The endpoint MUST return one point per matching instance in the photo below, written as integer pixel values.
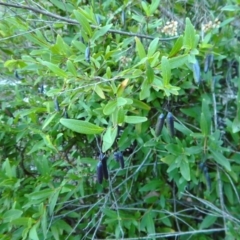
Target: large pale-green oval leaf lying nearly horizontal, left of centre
(81, 126)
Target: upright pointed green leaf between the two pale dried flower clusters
(189, 35)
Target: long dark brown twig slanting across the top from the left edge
(75, 22)
